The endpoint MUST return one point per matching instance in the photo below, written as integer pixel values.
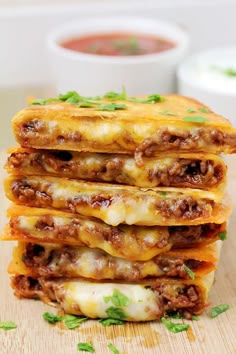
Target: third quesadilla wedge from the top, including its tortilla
(115, 204)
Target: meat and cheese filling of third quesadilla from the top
(43, 193)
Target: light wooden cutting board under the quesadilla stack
(35, 336)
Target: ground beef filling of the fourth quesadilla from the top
(121, 236)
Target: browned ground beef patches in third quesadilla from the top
(183, 207)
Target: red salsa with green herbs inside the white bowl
(118, 44)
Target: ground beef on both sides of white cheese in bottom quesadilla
(185, 299)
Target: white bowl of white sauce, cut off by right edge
(203, 77)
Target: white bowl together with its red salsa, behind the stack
(97, 55)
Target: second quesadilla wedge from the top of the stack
(173, 169)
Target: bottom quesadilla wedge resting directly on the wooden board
(148, 300)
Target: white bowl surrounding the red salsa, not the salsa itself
(91, 74)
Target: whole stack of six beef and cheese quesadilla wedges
(118, 204)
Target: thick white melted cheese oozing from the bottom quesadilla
(89, 297)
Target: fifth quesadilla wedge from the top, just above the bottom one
(55, 260)
